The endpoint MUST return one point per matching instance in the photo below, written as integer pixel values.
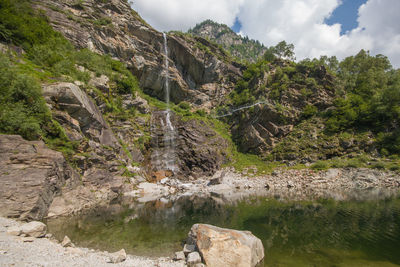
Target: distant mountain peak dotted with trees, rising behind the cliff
(240, 47)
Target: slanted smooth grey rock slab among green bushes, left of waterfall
(85, 115)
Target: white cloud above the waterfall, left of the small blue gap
(167, 15)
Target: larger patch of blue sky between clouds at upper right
(346, 14)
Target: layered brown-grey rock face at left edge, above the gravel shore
(31, 176)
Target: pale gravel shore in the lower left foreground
(26, 251)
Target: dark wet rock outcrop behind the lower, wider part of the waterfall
(194, 149)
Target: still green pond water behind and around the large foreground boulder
(320, 233)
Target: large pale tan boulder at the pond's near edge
(220, 247)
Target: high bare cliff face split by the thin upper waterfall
(197, 75)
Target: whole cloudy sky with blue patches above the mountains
(315, 27)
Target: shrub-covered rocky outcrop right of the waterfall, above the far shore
(260, 127)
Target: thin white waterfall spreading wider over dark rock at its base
(164, 134)
